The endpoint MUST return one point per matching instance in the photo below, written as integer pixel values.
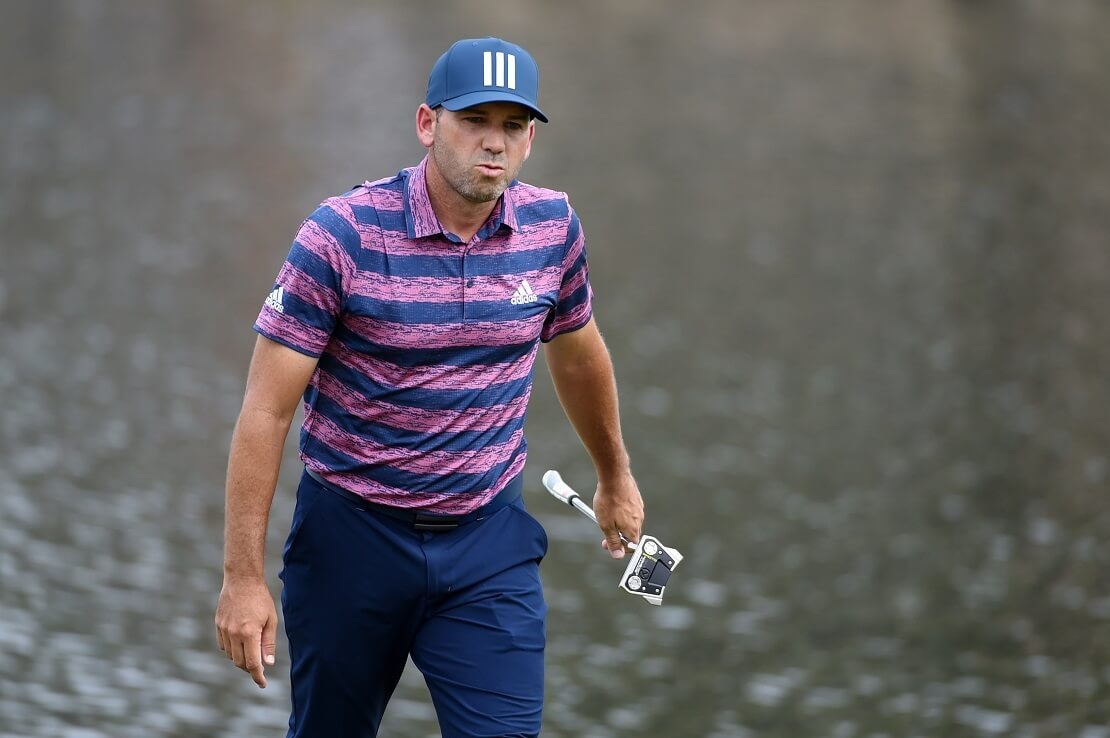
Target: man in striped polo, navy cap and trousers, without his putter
(409, 316)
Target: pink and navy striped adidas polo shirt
(427, 345)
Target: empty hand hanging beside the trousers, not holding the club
(247, 625)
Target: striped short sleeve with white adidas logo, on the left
(309, 295)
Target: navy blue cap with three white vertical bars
(473, 72)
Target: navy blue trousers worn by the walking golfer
(364, 592)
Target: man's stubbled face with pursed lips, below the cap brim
(480, 150)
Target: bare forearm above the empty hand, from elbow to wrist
(254, 464)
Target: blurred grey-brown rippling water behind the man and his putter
(852, 262)
